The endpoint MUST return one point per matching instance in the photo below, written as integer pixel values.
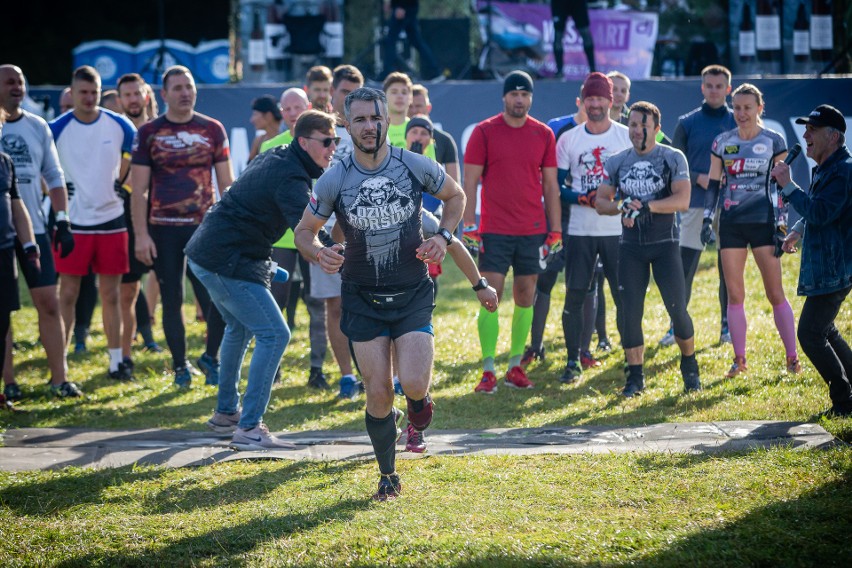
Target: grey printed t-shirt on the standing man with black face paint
(648, 177)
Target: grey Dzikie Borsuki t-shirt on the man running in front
(379, 212)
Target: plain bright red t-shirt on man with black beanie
(512, 190)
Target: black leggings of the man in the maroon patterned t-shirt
(170, 266)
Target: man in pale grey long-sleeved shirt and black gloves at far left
(28, 141)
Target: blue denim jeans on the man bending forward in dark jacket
(249, 310)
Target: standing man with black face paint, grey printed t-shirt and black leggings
(652, 181)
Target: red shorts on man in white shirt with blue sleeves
(103, 253)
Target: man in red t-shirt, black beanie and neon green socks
(514, 156)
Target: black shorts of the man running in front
(374, 312)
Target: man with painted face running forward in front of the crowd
(387, 295)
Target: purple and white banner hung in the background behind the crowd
(624, 40)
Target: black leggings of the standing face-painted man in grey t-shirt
(635, 262)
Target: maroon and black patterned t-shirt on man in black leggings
(181, 158)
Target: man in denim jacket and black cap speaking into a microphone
(825, 229)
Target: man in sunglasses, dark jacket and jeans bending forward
(230, 254)
